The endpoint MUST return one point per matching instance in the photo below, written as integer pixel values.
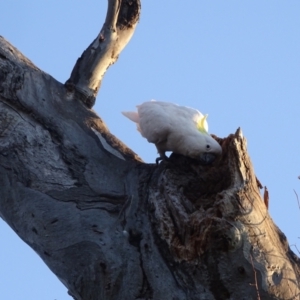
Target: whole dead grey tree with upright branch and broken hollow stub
(112, 227)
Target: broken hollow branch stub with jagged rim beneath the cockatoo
(212, 221)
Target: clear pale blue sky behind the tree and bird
(238, 61)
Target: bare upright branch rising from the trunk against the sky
(121, 19)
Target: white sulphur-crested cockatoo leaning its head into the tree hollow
(171, 127)
